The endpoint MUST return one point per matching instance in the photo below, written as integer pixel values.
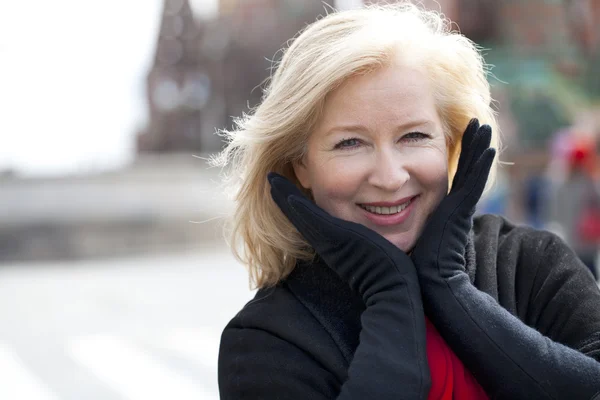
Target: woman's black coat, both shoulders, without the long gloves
(297, 340)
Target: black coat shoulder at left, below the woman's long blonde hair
(274, 348)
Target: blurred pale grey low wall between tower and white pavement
(160, 203)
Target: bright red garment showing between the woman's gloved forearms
(450, 380)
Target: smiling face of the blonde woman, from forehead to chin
(378, 155)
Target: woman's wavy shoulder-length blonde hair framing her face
(331, 50)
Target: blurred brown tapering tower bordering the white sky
(178, 86)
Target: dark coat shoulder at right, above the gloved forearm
(536, 276)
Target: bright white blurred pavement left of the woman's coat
(139, 328)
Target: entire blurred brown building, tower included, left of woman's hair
(205, 72)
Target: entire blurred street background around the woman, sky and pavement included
(115, 282)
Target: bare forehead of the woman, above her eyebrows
(392, 94)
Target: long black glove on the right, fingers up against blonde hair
(509, 359)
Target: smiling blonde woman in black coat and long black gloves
(375, 281)
